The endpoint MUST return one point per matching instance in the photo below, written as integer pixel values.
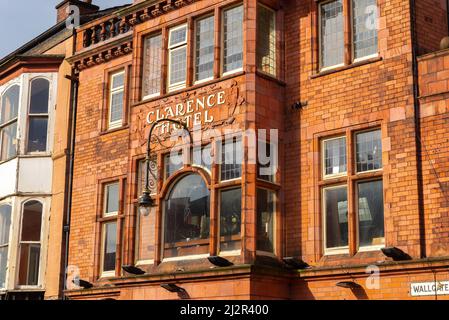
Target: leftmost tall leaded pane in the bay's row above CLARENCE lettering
(152, 65)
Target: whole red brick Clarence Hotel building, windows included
(357, 97)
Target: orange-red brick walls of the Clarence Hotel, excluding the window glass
(374, 93)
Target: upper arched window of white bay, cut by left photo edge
(9, 110)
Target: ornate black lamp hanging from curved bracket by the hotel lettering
(145, 201)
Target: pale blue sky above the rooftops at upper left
(22, 20)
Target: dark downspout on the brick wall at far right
(418, 141)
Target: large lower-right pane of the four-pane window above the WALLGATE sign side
(371, 213)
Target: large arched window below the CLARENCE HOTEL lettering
(187, 214)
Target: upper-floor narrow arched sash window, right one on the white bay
(38, 116)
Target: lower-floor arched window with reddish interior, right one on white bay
(30, 244)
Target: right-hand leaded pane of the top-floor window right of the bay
(365, 27)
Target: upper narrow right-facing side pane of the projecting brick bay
(266, 40)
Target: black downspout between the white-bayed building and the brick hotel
(69, 167)
